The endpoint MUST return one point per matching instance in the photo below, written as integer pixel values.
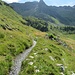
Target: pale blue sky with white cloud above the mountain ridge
(48, 2)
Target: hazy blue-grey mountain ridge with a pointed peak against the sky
(39, 9)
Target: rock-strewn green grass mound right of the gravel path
(47, 54)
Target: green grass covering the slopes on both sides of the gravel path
(15, 37)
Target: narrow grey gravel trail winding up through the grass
(15, 69)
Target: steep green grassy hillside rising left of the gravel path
(15, 37)
